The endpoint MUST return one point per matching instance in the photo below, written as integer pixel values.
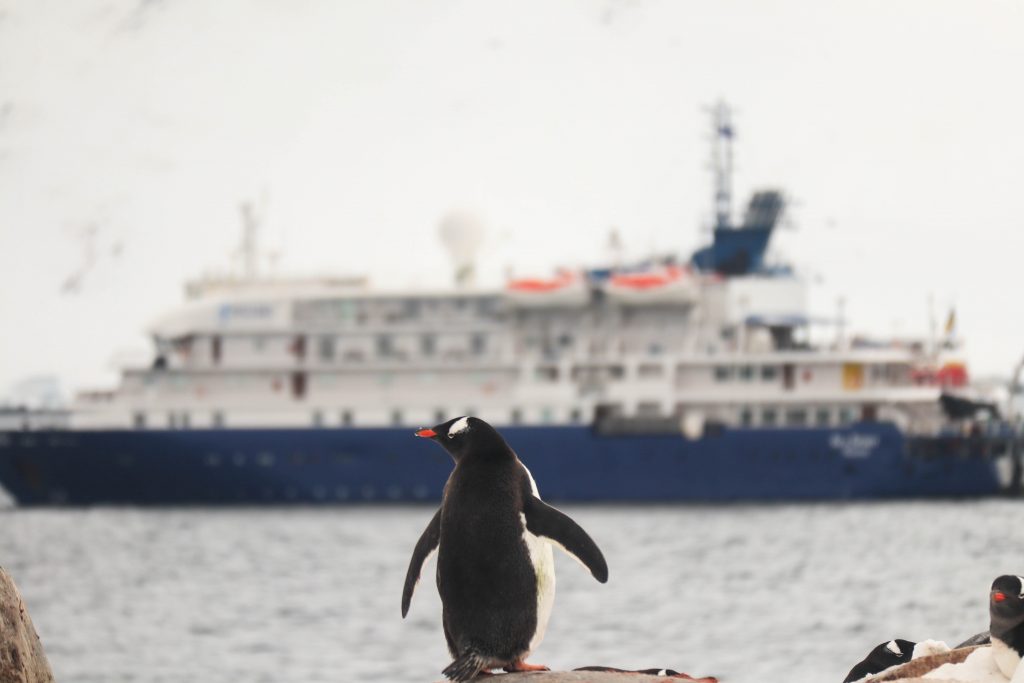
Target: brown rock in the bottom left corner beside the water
(22, 658)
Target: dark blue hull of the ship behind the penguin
(313, 466)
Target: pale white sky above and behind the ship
(895, 126)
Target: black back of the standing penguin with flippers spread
(486, 577)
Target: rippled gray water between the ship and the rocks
(747, 593)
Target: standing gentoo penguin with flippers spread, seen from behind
(493, 536)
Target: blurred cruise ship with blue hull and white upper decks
(675, 379)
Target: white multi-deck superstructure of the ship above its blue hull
(333, 354)
